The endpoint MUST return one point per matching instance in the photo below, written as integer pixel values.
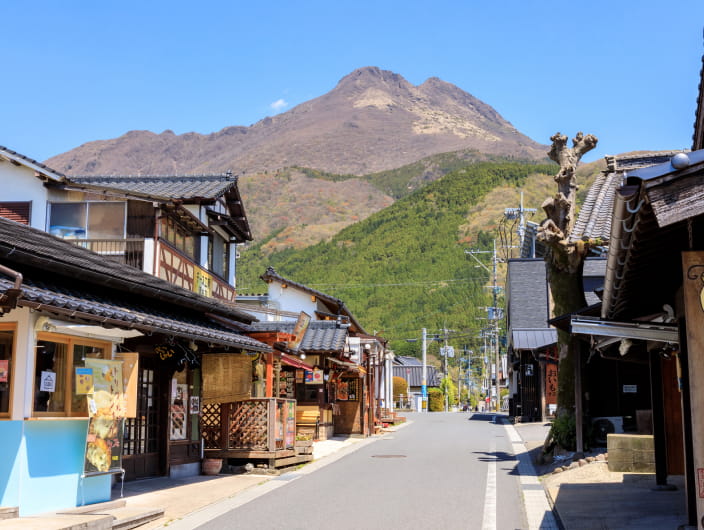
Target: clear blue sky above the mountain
(76, 71)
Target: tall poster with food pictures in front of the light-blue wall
(106, 411)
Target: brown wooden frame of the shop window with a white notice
(70, 341)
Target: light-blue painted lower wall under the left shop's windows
(45, 468)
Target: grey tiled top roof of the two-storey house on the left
(167, 187)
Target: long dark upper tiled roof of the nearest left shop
(26, 246)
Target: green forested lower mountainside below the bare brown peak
(404, 267)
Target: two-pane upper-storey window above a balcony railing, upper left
(87, 220)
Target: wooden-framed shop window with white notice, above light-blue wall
(56, 360)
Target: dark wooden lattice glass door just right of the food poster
(142, 440)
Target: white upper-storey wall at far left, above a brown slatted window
(19, 184)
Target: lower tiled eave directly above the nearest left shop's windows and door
(120, 309)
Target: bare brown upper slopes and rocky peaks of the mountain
(373, 120)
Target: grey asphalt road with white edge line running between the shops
(444, 470)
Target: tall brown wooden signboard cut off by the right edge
(693, 277)
